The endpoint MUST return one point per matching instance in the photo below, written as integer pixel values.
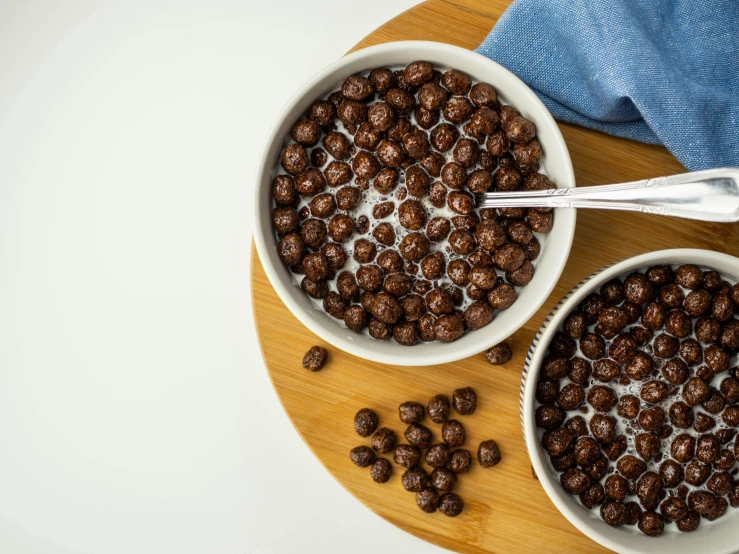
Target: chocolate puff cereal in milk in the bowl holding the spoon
(373, 193)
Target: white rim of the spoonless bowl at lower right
(536, 354)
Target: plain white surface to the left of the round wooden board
(135, 411)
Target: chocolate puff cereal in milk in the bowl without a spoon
(638, 398)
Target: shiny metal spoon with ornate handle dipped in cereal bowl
(710, 195)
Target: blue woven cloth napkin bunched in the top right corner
(656, 71)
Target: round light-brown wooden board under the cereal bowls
(506, 509)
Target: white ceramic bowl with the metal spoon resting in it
(555, 245)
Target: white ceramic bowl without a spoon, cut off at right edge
(718, 537)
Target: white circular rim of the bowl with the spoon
(566, 219)
